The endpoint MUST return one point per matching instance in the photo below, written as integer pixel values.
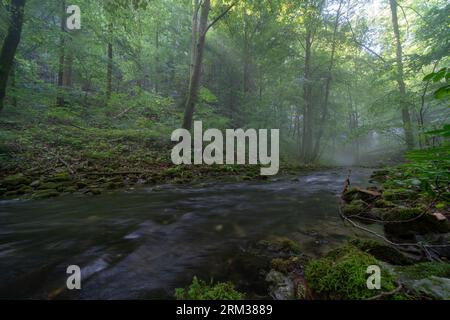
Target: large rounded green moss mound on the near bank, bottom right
(342, 275)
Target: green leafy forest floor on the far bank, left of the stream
(55, 154)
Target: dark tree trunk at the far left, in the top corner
(10, 44)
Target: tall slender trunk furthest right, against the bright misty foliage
(409, 137)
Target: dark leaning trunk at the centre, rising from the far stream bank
(194, 82)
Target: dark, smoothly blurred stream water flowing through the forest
(143, 243)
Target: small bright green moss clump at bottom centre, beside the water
(200, 290)
